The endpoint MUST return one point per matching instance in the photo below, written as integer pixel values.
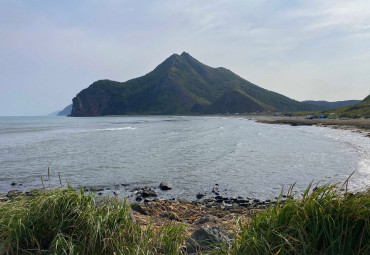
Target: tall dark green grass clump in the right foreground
(324, 221)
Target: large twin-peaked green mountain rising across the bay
(181, 85)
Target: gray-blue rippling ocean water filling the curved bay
(243, 157)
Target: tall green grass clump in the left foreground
(64, 221)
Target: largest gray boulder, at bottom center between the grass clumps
(204, 239)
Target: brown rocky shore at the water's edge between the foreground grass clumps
(214, 218)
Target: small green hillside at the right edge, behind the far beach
(359, 110)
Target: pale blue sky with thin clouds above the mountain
(304, 49)
